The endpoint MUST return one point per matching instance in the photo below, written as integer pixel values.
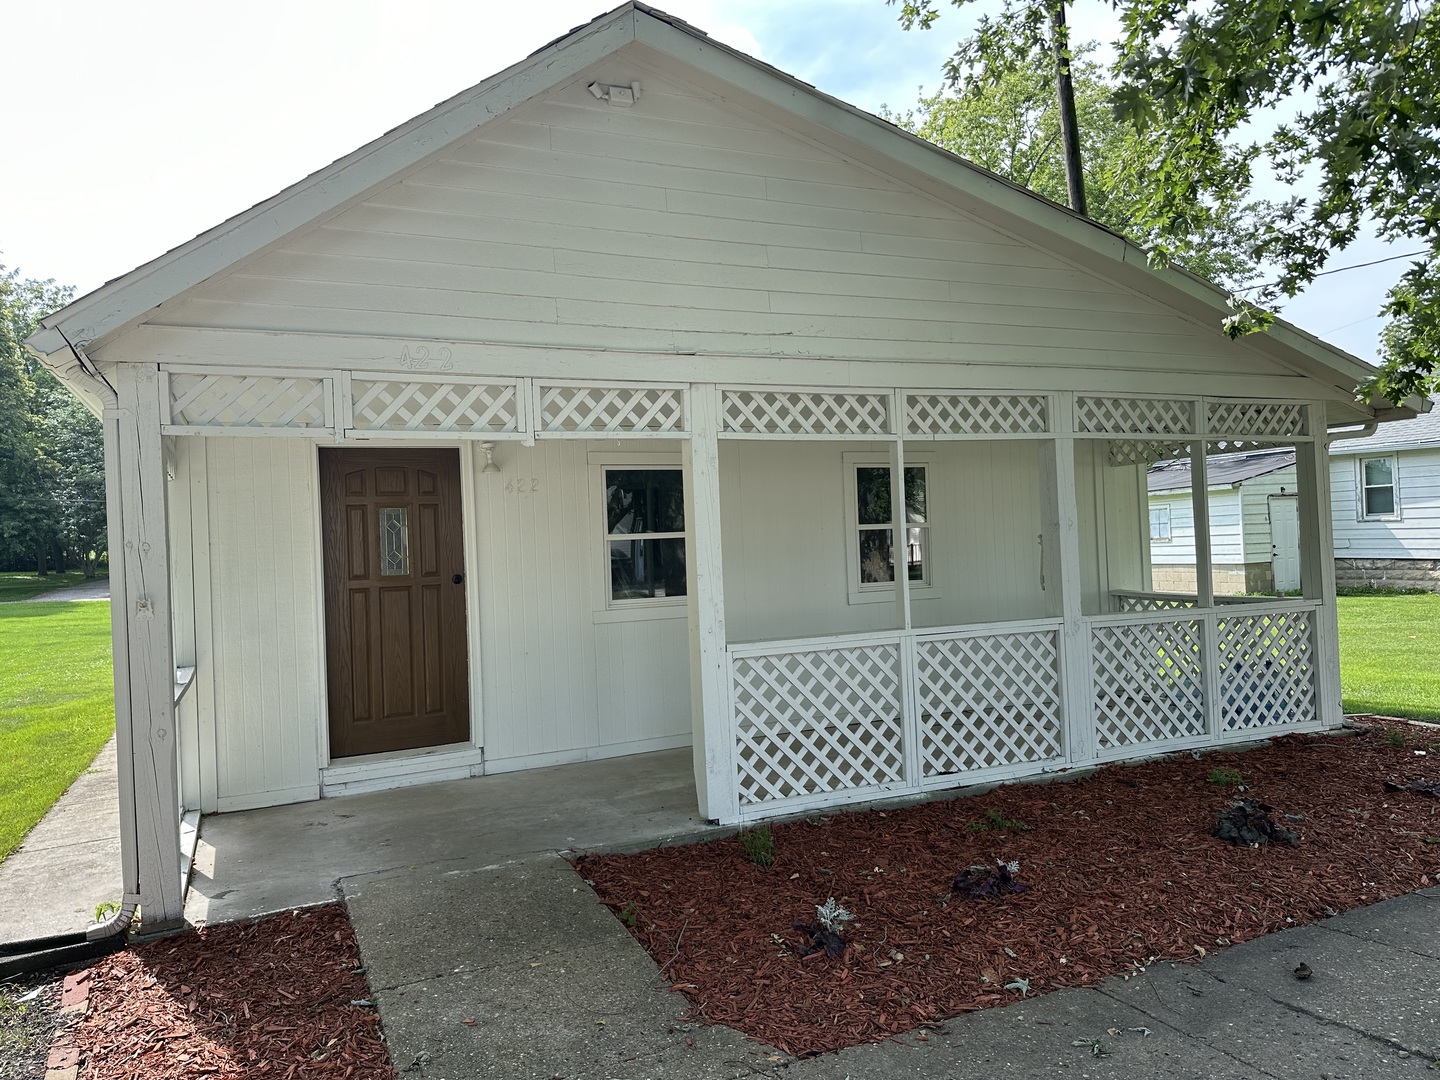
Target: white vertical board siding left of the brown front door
(264, 650)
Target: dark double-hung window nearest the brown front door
(646, 534)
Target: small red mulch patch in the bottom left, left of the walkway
(270, 999)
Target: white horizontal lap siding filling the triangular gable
(686, 224)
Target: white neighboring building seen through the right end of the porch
(1255, 525)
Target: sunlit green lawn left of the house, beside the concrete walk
(57, 705)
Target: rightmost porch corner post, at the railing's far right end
(1313, 474)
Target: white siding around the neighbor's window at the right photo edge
(1418, 532)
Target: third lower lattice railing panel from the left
(1147, 683)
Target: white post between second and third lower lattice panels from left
(1075, 640)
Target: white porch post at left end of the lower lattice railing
(714, 747)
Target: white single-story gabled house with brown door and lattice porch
(585, 414)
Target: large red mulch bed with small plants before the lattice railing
(1121, 872)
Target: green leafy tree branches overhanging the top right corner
(1340, 96)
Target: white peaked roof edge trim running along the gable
(129, 300)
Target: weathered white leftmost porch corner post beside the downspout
(145, 667)
